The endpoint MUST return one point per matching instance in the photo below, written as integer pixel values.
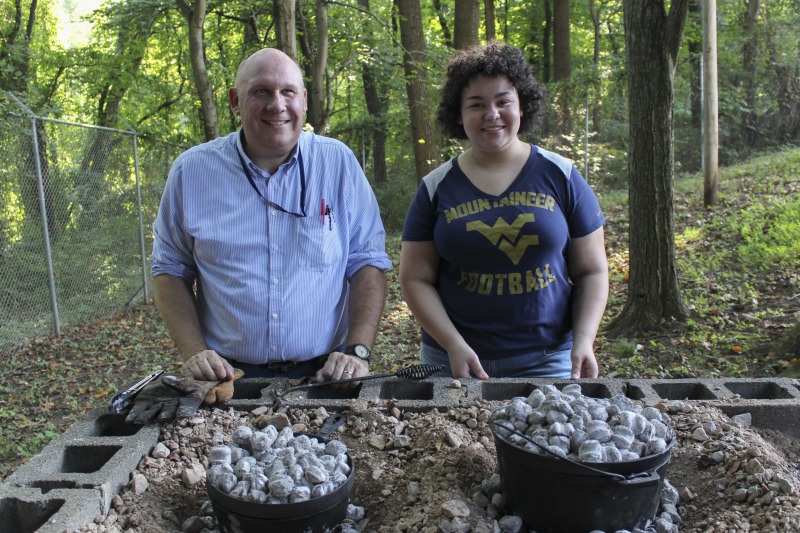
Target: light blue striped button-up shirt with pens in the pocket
(270, 286)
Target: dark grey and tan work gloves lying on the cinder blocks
(174, 397)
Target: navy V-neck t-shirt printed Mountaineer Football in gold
(503, 274)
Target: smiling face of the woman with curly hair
(490, 112)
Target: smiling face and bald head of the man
(271, 101)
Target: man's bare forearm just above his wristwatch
(367, 298)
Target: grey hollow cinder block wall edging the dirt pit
(75, 477)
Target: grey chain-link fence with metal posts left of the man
(76, 206)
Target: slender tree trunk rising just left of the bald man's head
(195, 16)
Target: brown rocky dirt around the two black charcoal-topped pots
(433, 472)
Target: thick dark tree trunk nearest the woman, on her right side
(652, 42)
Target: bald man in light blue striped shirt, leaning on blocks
(281, 233)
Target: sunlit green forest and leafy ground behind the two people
(161, 69)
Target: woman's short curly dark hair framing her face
(494, 59)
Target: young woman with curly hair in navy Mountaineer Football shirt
(503, 258)
